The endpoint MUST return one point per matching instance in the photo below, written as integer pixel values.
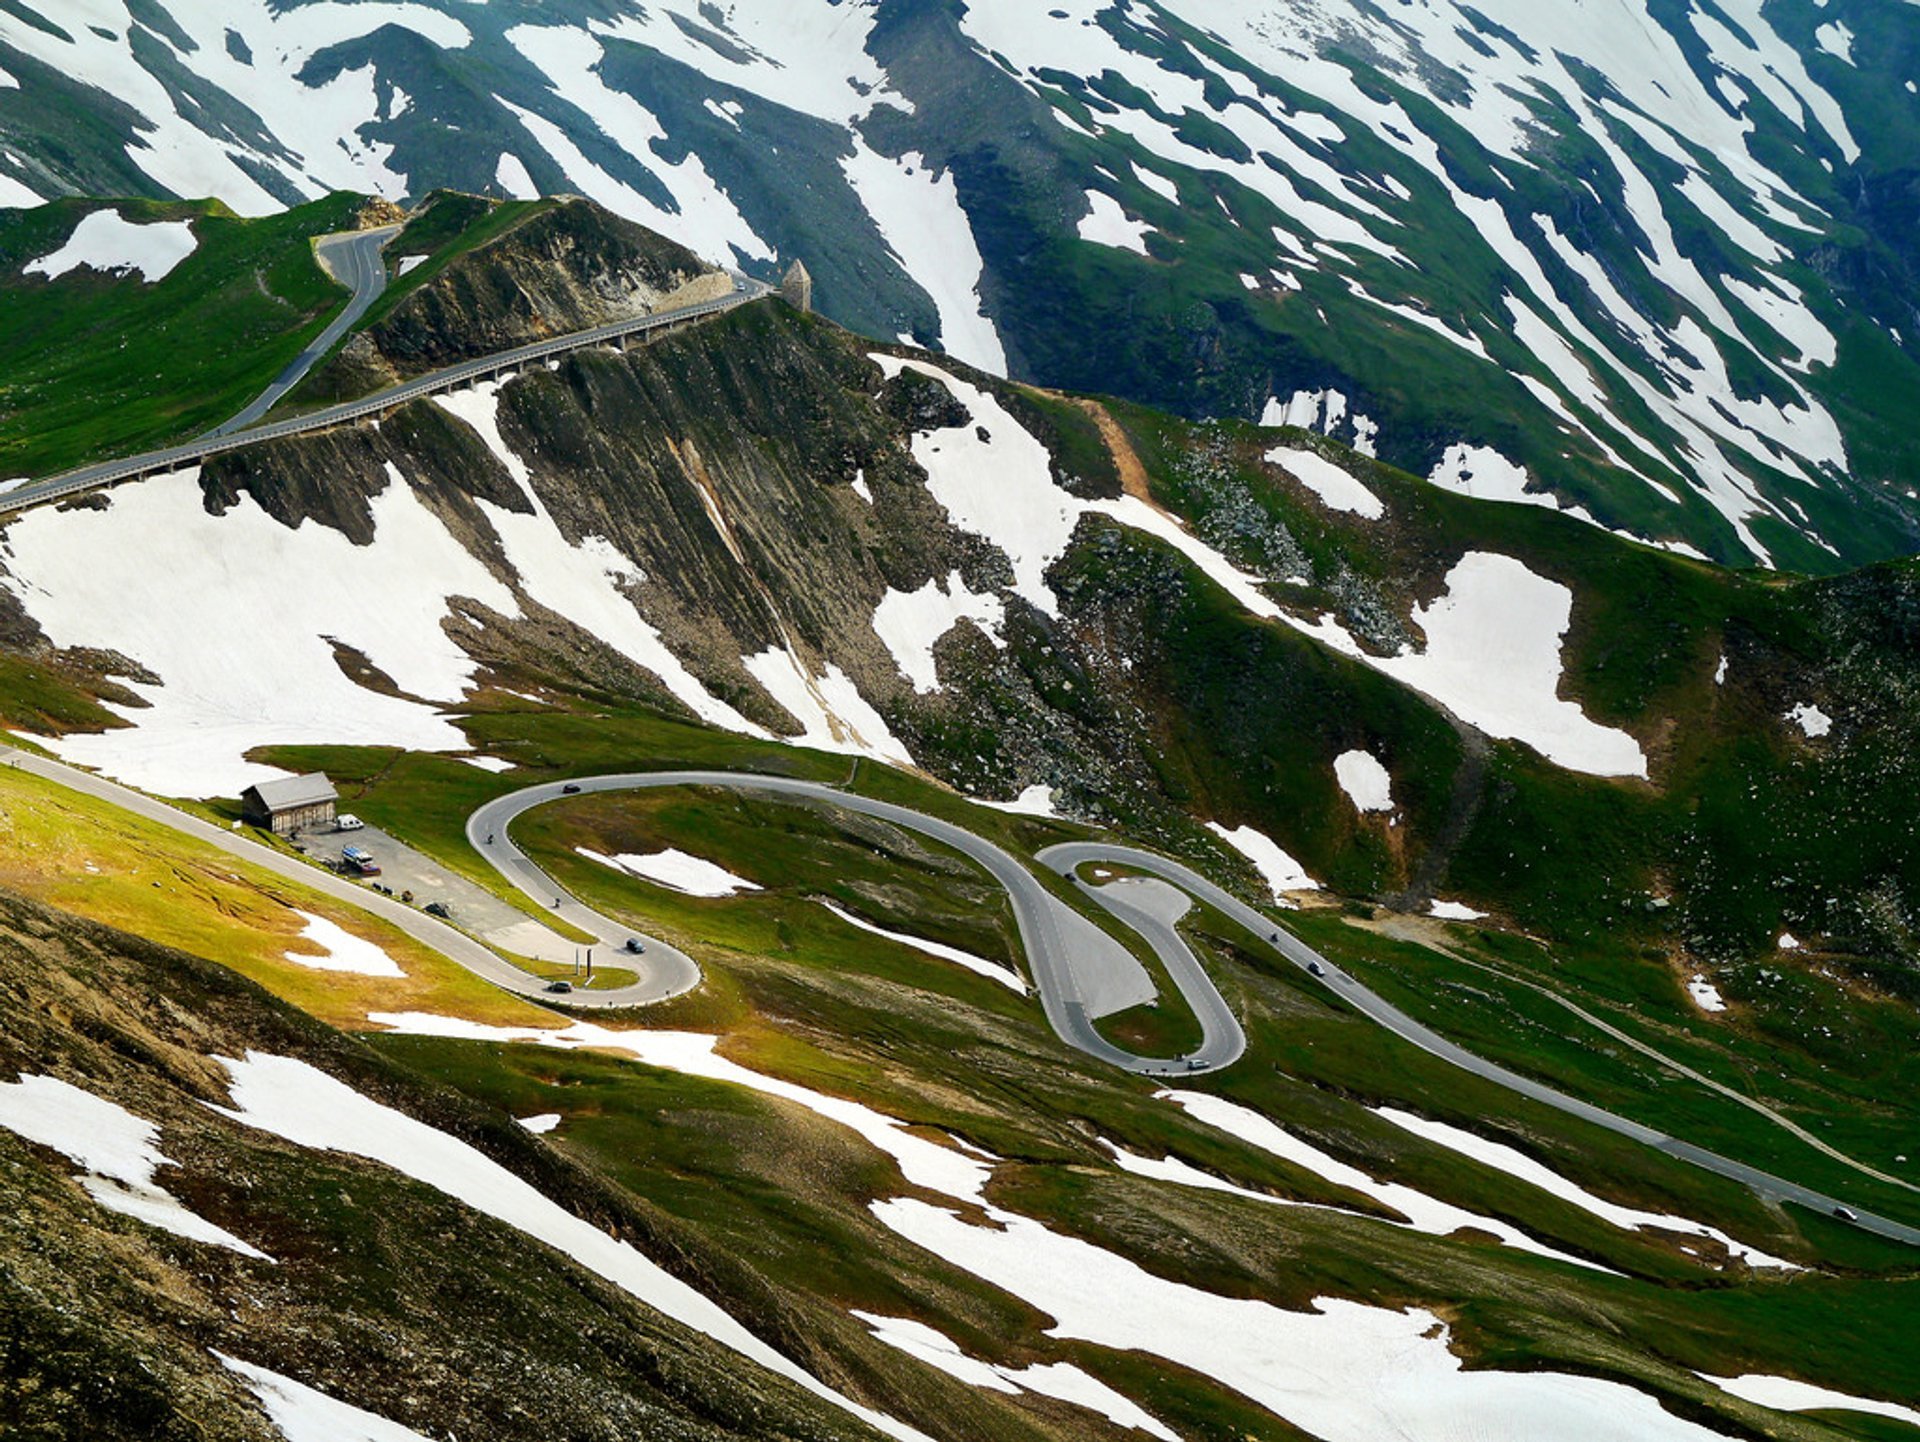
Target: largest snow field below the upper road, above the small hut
(256, 665)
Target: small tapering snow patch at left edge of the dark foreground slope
(116, 1149)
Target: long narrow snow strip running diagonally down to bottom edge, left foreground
(306, 1107)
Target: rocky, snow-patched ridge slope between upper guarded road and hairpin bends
(769, 529)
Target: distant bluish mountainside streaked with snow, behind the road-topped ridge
(1650, 264)
